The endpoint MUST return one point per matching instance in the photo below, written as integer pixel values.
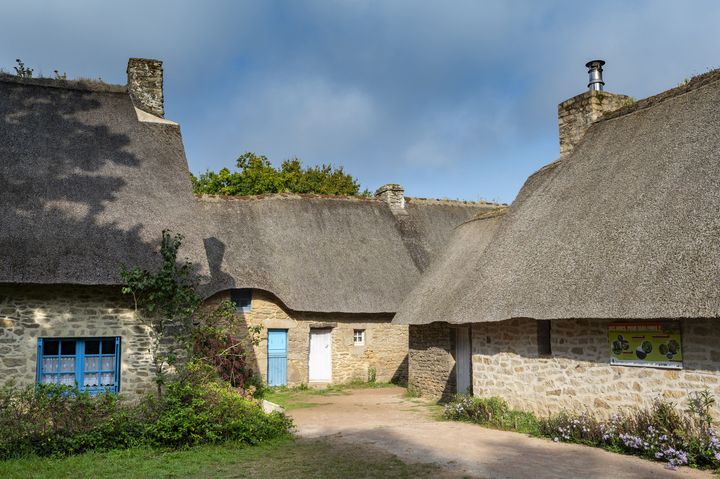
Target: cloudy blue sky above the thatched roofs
(452, 99)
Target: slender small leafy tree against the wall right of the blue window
(165, 301)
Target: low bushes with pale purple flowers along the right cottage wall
(660, 432)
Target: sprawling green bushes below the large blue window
(52, 420)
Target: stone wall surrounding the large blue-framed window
(29, 312)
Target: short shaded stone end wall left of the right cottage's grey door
(430, 359)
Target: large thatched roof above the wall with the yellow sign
(627, 226)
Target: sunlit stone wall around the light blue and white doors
(385, 346)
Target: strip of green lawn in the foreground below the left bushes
(281, 459)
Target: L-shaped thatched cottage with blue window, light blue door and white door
(91, 173)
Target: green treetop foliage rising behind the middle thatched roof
(256, 176)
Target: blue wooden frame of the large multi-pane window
(80, 355)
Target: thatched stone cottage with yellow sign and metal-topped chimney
(598, 287)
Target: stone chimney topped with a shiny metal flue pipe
(577, 114)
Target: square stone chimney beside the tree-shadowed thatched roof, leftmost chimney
(145, 85)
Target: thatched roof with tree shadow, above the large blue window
(84, 185)
